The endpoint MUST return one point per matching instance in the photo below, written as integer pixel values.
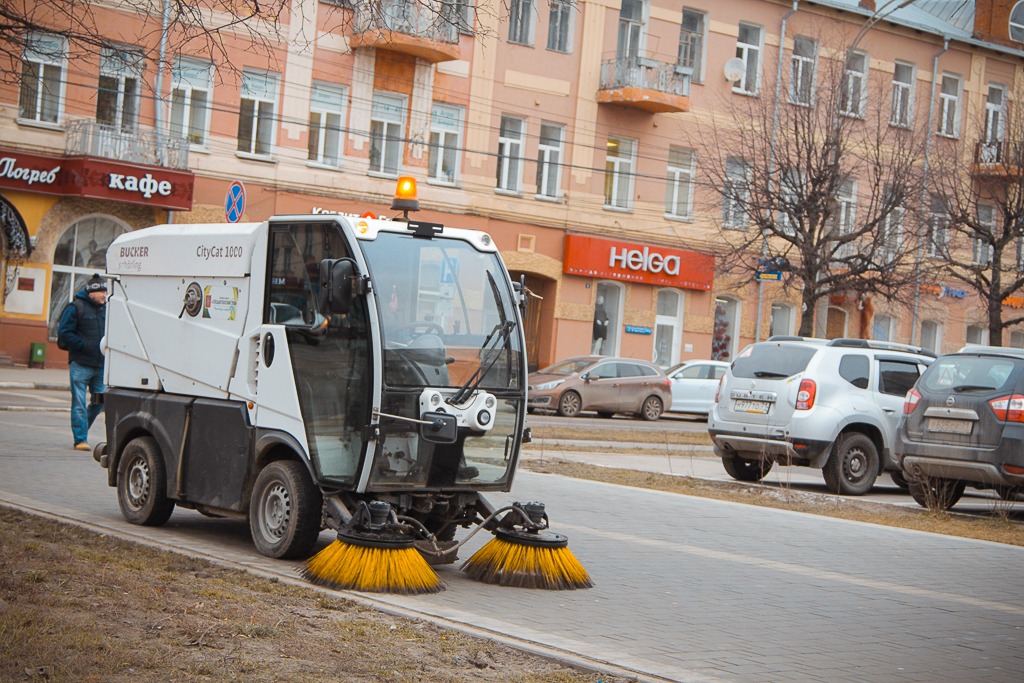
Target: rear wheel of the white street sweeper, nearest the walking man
(143, 484)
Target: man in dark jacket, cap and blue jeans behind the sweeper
(82, 326)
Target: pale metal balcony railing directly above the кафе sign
(96, 140)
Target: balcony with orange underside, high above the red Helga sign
(646, 84)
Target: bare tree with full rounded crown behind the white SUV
(816, 182)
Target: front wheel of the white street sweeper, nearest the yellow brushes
(285, 511)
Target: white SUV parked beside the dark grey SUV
(831, 405)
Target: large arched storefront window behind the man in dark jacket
(80, 253)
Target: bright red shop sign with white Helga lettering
(635, 263)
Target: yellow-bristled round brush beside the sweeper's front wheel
(371, 557)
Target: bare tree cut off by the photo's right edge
(978, 214)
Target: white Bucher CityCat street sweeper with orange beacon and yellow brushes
(356, 374)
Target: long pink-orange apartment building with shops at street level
(570, 132)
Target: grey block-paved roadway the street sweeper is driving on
(687, 589)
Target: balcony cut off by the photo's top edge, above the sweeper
(411, 27)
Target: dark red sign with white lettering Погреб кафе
(97, 179)
